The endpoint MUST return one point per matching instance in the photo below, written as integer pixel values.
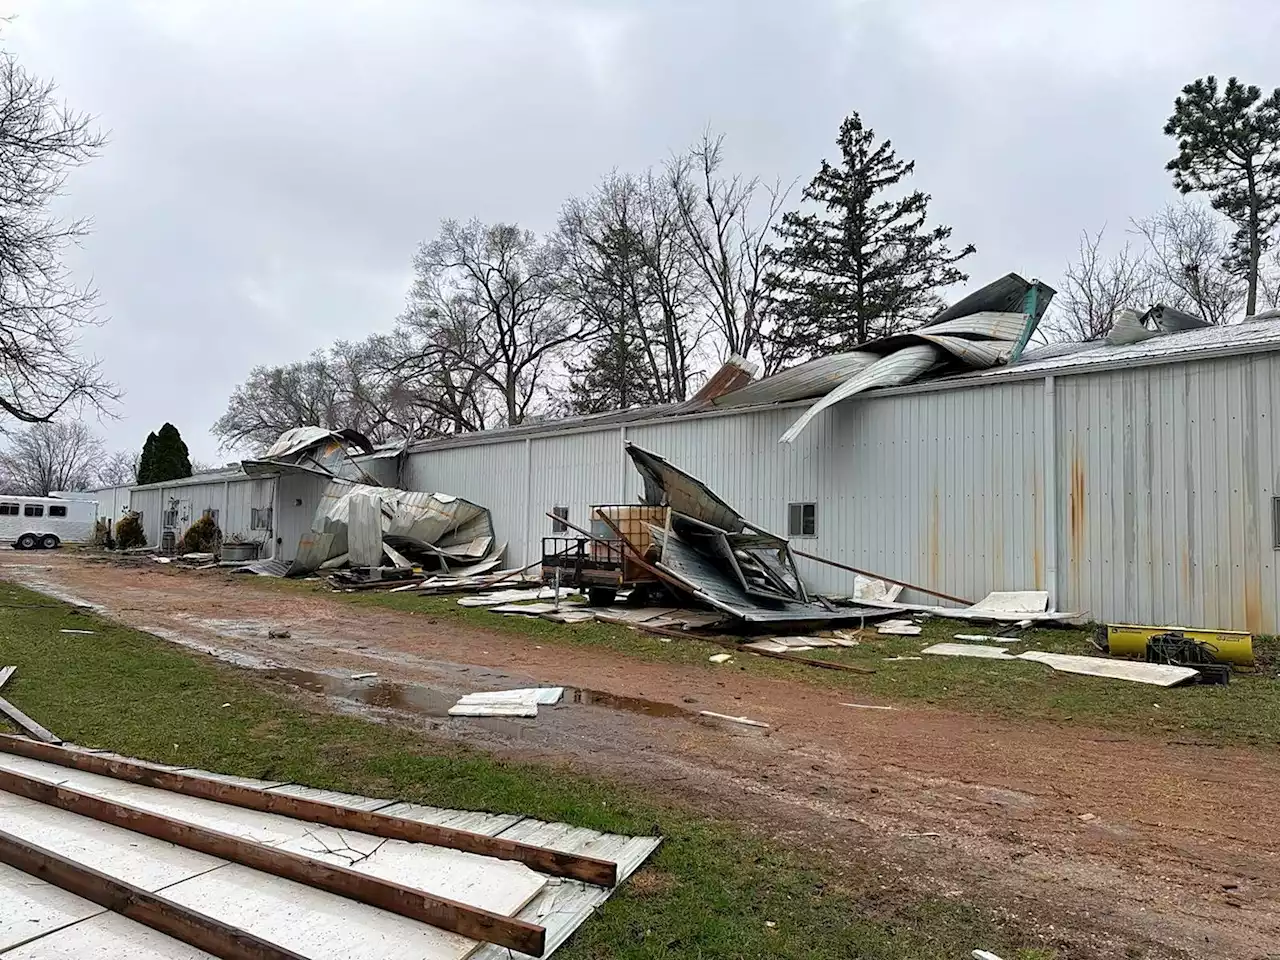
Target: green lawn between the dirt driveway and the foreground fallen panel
(710, 893)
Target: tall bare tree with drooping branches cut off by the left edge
(42, 309)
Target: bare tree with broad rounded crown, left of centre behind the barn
(486, 304)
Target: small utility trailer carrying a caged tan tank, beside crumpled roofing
(605, 564)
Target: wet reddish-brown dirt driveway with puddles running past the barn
(1104, 842)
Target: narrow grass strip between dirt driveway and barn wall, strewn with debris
(1245, 712)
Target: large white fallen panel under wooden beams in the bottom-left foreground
(313, 924)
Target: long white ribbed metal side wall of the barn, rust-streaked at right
(1140, 495)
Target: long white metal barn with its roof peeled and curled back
(1133, 479)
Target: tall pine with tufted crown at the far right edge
(1229, 148)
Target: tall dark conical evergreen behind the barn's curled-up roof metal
(863, 266)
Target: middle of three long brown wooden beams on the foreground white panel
(447, 915)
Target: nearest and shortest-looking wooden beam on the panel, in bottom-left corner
(139, 906)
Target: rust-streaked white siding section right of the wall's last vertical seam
(1168, 477)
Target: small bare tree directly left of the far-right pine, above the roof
(1190, 252)
